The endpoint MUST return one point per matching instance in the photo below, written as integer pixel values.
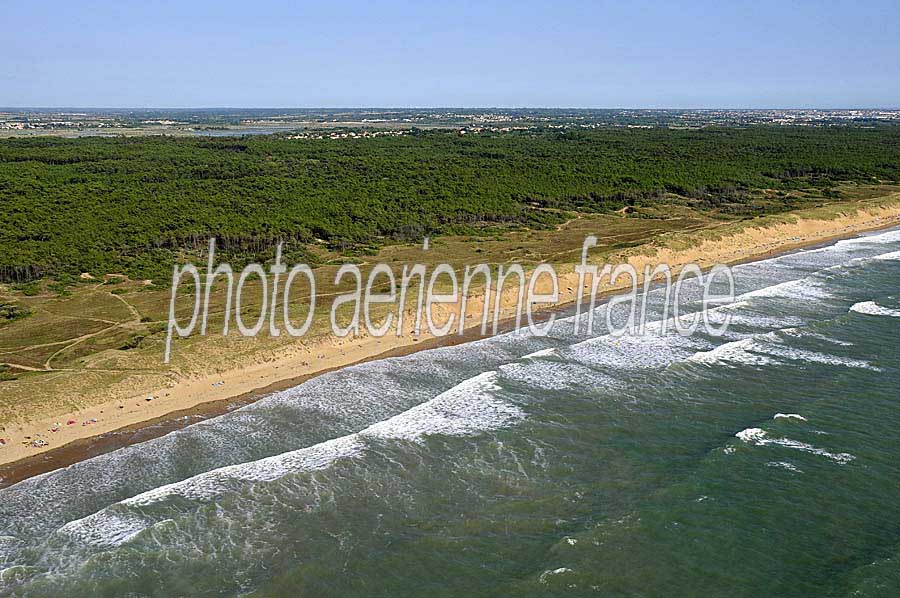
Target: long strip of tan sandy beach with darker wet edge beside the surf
(204, 400)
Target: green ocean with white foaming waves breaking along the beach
(765, 462)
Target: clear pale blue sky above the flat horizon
(276, 53)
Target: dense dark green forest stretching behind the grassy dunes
(135, 205)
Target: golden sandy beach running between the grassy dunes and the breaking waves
(73, 436)
